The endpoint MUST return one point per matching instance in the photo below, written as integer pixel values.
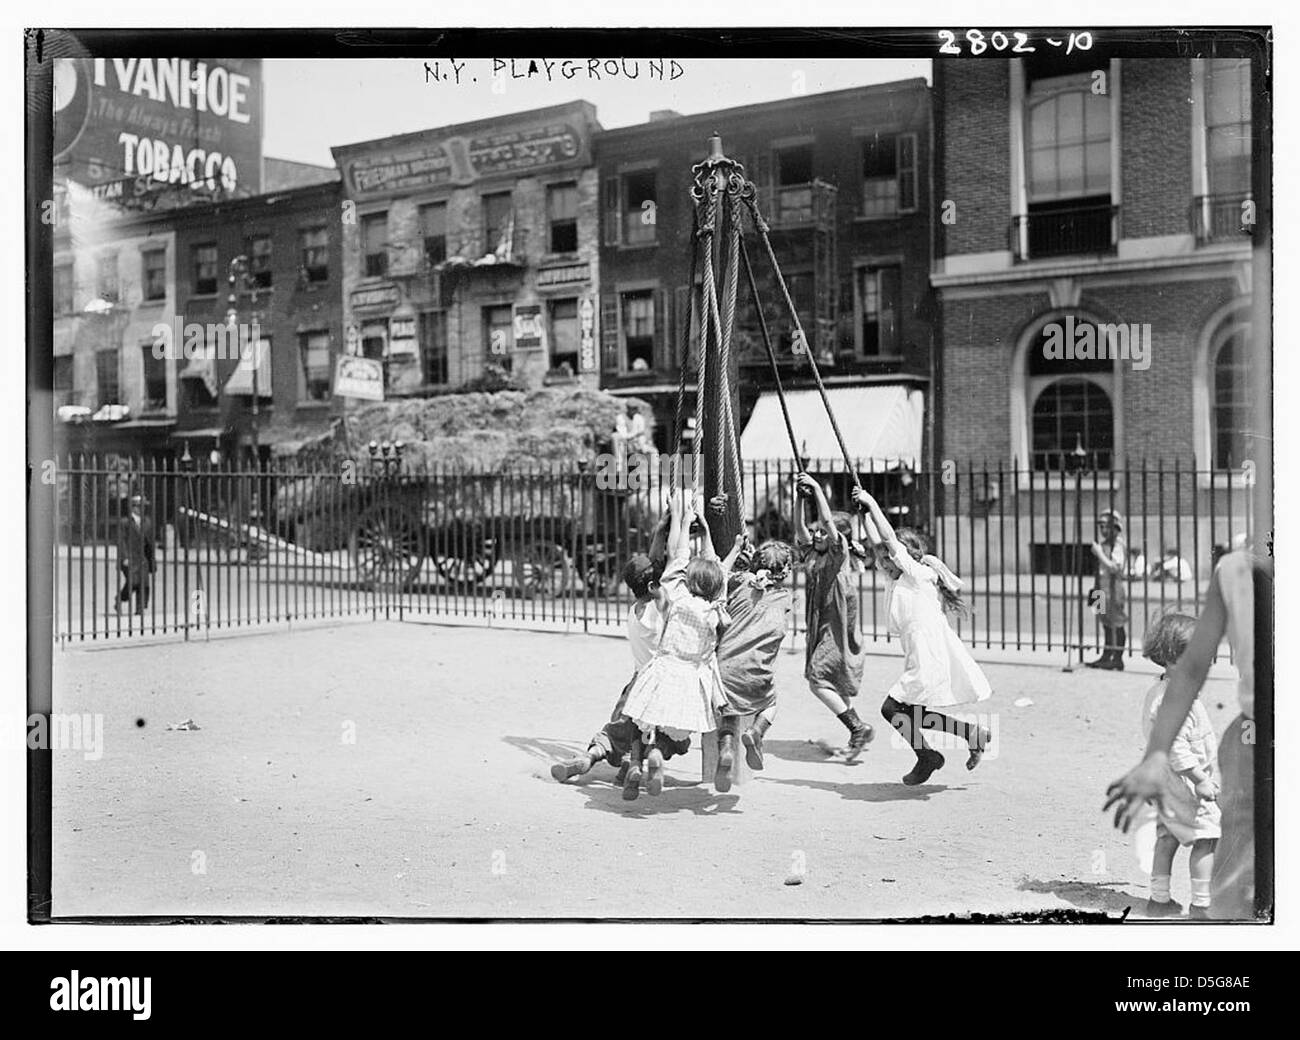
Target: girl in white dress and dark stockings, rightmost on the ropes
(938, 669)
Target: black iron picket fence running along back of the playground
(545, 545)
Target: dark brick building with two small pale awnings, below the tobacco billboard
(293, 248)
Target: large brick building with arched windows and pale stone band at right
(1094, 202)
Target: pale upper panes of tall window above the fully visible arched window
(1068, 140)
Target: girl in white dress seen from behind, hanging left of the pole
(678, 692)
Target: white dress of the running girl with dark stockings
(938, 669)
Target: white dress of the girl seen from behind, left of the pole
(681, 688)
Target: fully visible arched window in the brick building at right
(1072, 415)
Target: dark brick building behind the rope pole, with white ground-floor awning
(843, 179)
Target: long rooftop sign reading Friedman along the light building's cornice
(461, 161)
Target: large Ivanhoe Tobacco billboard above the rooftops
(151, 133)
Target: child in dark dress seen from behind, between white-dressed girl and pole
(760, 606)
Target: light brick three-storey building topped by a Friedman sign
(471, 253)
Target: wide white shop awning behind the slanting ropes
(882, 427)
